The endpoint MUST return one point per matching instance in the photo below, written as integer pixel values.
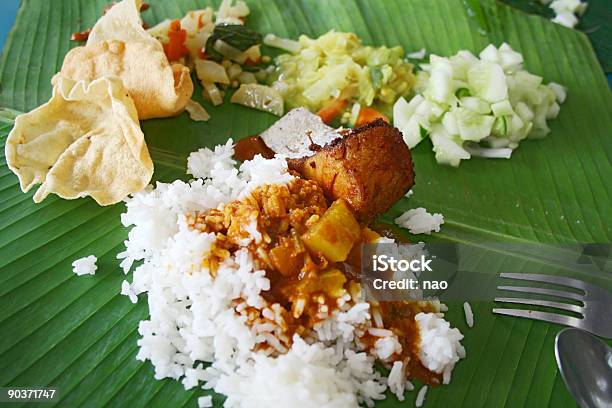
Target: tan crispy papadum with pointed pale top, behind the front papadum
(118, 45)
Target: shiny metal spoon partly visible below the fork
(585, 363)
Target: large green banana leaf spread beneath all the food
(77, 334)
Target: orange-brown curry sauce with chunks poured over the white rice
(305, 285)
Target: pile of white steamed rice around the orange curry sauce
(194, 333)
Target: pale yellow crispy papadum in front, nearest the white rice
(86, 141)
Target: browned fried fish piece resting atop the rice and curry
(370, 168)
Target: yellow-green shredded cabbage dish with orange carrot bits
(339, 77)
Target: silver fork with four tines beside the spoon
(595, 312)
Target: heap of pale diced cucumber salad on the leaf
(477, 106)
